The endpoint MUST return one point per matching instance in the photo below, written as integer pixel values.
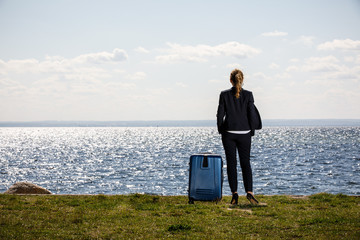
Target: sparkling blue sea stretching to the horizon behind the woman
(295, 157)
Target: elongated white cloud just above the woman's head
(201, 53)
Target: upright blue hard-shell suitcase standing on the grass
(206, 178)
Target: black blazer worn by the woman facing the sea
(237, 114)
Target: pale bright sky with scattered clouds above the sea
(105, 60)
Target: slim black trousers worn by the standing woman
(241, 143)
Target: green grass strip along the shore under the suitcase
(137, 216)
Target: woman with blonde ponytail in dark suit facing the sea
(236, 122)
